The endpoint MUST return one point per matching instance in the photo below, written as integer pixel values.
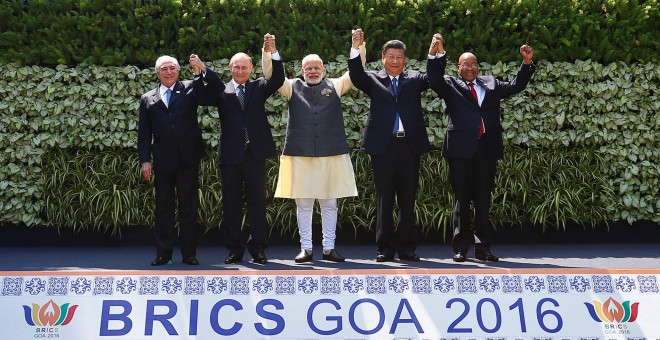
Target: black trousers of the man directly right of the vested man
(396, 175)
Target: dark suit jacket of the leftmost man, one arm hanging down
(170, 135)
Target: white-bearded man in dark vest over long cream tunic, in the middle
(315, 164)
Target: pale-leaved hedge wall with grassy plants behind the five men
(582, 145)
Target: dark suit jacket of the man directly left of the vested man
(233, 119)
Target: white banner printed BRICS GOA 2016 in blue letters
(355, 304)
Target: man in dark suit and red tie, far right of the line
(473, 142)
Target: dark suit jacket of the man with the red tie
(461, 138)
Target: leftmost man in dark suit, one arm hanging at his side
(168, 131)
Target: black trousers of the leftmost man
(176, 190)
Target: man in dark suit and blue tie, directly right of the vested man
(395, 137)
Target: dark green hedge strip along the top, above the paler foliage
(135, 32)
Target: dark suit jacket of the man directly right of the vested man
(384, 106)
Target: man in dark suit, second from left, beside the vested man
(245, 143)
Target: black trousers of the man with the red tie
(472, 181)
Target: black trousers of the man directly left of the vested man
(247, 178)
